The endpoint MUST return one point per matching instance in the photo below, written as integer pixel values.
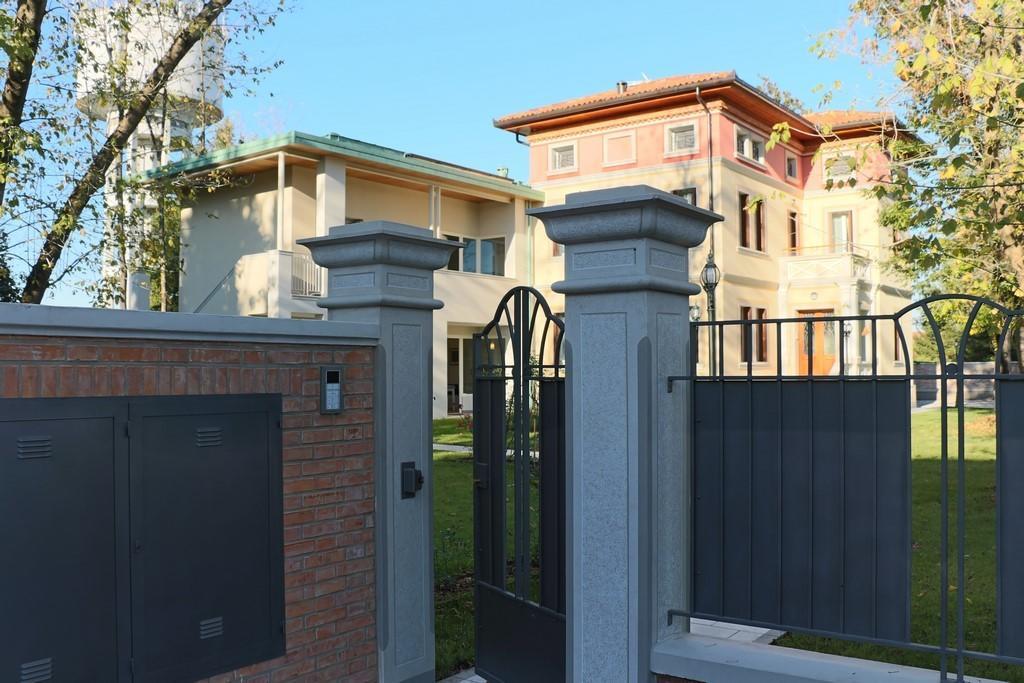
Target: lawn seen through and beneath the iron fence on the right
(926, 588)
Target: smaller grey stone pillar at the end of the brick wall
(382, 273)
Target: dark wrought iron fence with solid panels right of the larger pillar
(803, 481)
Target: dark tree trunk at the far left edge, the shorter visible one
(25, 45)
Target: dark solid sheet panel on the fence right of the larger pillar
(803, 503)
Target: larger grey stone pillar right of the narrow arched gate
(627, 293)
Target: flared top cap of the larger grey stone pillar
(626, 214)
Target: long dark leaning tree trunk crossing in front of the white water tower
(67, 221)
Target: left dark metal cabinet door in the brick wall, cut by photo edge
(64, 567)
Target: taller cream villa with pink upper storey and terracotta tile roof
(801, 238)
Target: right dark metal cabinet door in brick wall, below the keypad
(206, 533)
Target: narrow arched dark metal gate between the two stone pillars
(520, 475)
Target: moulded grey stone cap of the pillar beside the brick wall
(380, 264)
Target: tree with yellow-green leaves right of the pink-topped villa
(956, 195)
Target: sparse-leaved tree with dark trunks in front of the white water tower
(46, 136)
